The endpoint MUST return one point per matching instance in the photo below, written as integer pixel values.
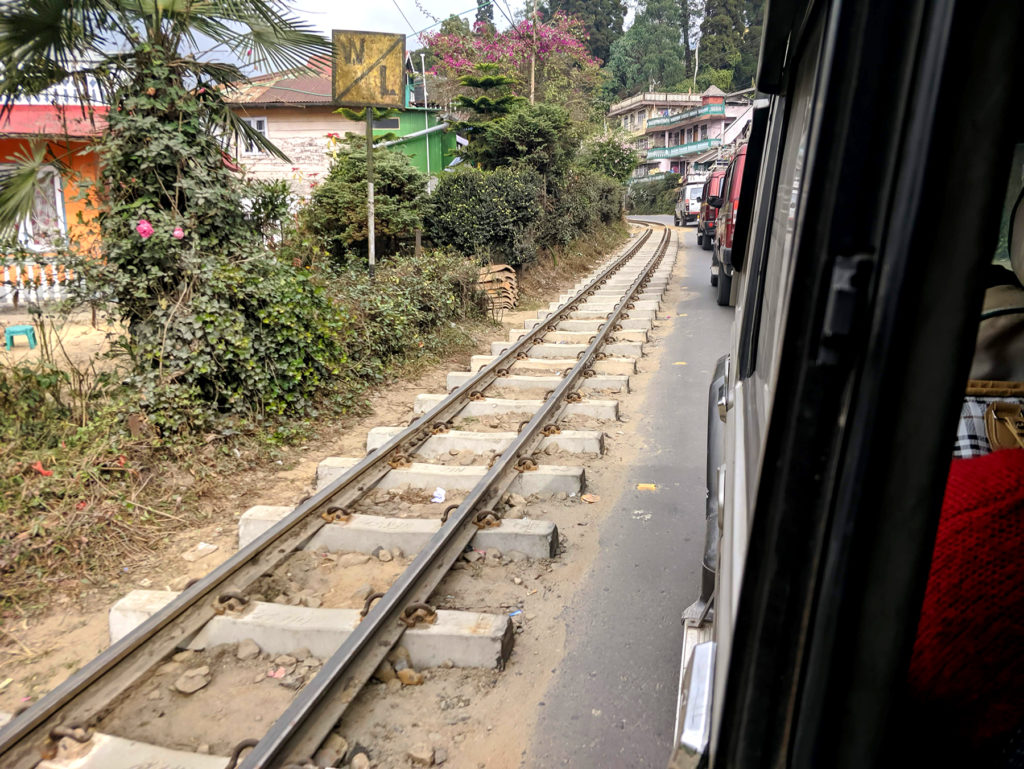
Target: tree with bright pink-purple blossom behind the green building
(566, 73)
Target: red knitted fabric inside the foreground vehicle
(968, 664)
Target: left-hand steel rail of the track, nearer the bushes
(91, 691)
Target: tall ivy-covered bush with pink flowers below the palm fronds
(216, 324)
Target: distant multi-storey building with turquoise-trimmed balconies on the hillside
(675, 133)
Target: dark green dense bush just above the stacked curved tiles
(490, 216)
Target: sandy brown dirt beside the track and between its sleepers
(471, 718)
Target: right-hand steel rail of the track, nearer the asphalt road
(306, 724)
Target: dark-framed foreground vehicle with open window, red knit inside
(860, 270)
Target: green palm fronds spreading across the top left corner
(110, 45)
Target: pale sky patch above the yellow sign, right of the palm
(387, 16)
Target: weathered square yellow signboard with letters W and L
(369, 69)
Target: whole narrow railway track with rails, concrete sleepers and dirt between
(272, 610)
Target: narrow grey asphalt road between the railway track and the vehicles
(612, 705)
